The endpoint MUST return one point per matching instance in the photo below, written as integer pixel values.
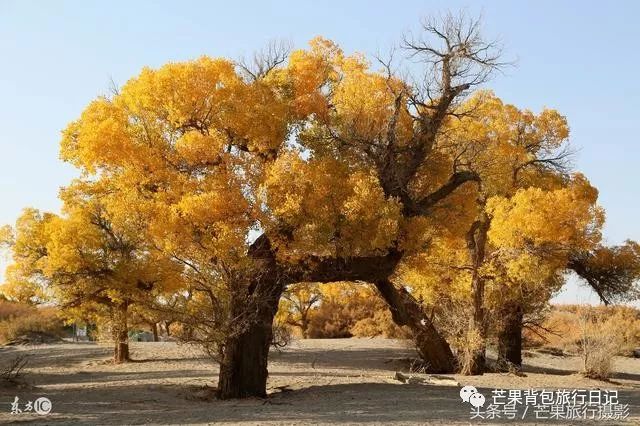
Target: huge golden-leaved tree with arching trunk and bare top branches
(310, 167)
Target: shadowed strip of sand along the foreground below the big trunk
(341, 403)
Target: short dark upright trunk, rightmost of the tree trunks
(510, 338)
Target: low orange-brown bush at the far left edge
(32, 325)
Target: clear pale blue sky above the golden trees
(55, 56)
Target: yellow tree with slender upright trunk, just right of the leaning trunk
(510, 151)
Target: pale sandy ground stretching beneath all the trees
(326, 382)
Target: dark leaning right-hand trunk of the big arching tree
(406, 311)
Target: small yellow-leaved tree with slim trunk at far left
(87, 263)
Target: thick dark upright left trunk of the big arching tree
(244, 357)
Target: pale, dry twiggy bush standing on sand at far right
(600, 341)
